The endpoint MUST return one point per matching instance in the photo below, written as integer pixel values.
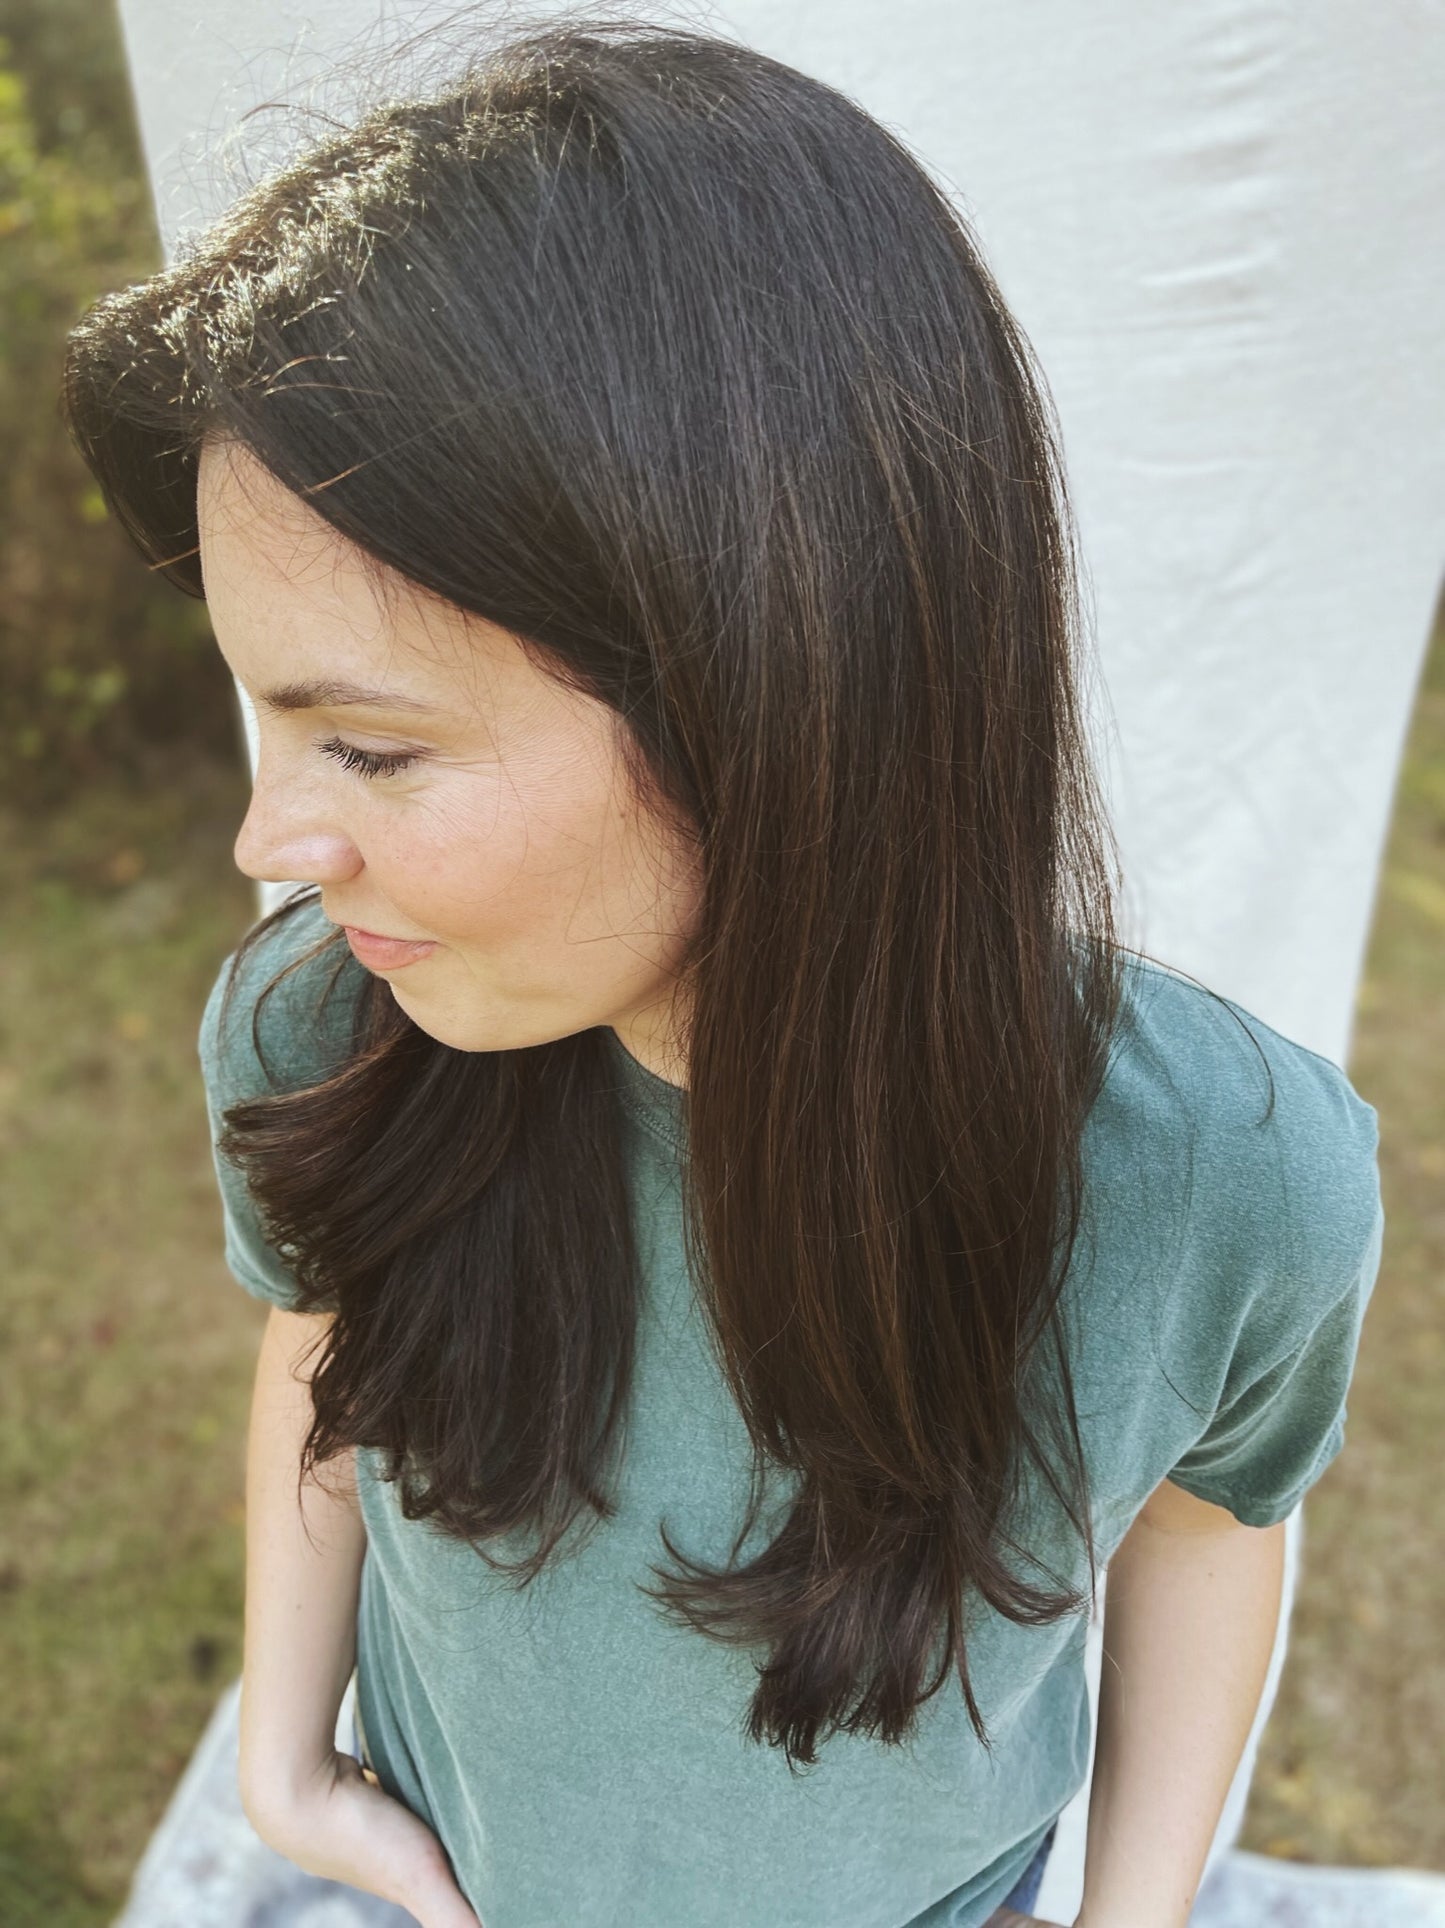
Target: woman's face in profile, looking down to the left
(504, 836)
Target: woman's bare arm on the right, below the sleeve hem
(1191, 1611)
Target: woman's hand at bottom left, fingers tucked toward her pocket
(344, 1827)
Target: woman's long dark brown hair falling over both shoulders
(676, 365)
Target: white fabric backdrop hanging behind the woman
(1220, 227)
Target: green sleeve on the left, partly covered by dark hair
(232, 1073)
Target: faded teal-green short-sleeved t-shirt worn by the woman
(582, 1757)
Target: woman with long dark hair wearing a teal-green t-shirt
(746, 1237)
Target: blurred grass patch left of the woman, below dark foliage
(126, 1345)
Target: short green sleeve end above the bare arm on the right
(1282, 1424)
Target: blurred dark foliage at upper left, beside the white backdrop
(99, 658)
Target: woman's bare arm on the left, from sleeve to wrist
(300, 1597)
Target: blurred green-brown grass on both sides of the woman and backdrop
(126, 1358)
